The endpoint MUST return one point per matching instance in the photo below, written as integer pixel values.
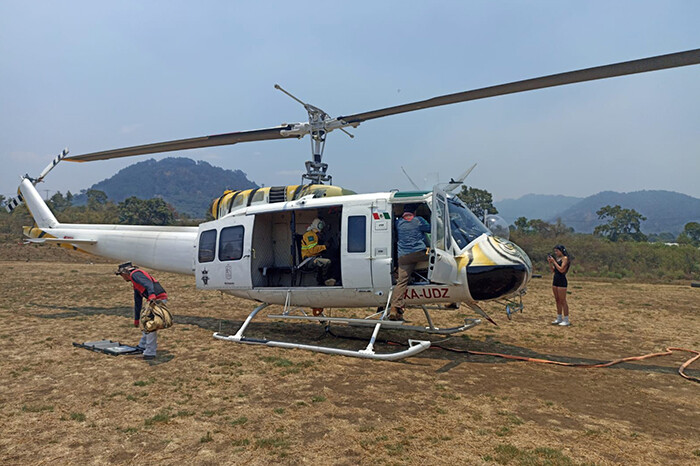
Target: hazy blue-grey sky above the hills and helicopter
(100, 75)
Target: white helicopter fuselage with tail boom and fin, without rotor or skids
(254, 252)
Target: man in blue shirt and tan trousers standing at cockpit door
(412, 249)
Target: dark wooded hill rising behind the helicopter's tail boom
(187, 185)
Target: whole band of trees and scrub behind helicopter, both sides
(616, 249)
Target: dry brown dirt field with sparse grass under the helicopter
(205, 401)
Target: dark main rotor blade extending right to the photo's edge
(673, 60)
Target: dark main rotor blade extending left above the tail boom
(182, 144)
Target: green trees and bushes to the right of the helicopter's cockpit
(616, 249)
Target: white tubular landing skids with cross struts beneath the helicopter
(414, 346)
